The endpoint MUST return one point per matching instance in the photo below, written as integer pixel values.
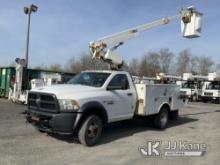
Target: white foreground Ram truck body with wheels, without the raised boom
(93, 99)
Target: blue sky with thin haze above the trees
(62, 29)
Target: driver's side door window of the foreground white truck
(121, 81)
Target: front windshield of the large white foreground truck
(95, 79)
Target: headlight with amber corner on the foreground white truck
(68, 105)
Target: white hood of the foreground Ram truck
(66, 90)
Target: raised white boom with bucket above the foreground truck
(104, 48)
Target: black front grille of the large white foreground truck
(42, 102)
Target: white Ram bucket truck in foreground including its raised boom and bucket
(93, 99)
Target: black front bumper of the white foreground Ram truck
(59, 123)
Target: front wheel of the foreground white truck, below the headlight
(90, 130)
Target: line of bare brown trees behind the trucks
(149, 64)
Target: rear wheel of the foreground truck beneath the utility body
(161, 119)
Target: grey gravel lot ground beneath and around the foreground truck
(22, 144)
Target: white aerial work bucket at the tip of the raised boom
(191, 26)
